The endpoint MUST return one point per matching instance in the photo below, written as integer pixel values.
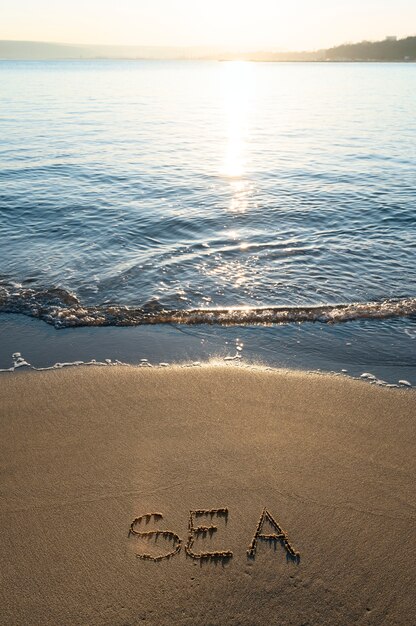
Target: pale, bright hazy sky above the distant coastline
(248, 24)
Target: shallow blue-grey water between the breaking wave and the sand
(383, 349)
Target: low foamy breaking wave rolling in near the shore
(62, 309)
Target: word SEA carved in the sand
(198, 530)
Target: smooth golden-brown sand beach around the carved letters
(85, 451)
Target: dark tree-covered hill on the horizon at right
(387, 50)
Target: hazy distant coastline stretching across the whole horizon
(387, 50)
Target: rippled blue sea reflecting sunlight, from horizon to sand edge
(159, 212)
